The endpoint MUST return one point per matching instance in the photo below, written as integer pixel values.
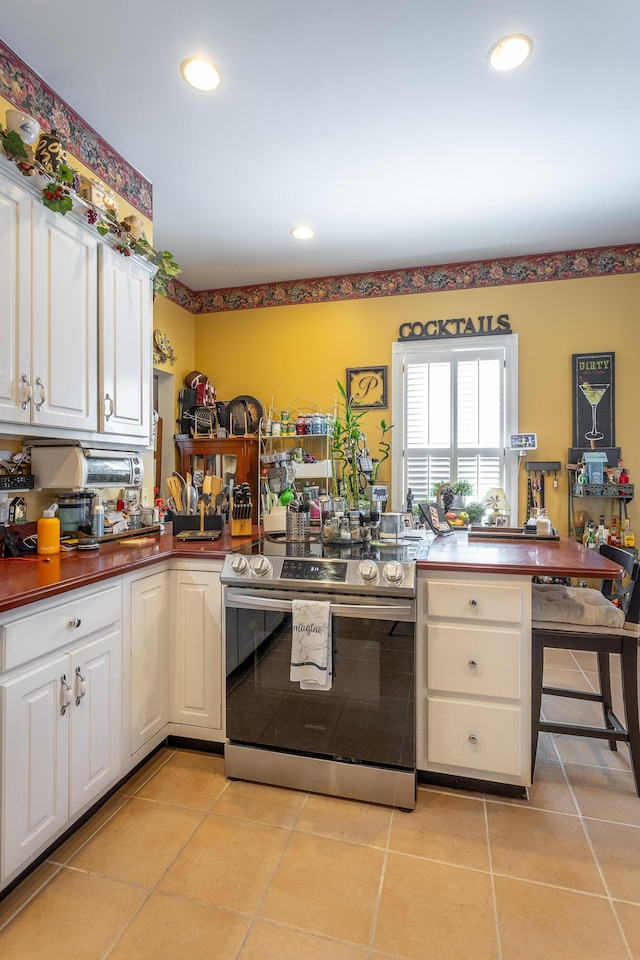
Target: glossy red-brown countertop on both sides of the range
(24, 581)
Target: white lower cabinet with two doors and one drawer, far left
(61, 718)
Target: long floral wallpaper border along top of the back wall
(572, 265)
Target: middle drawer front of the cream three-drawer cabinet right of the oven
(474, 660)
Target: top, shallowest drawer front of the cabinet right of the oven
(468, 601)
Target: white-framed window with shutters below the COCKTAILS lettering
(454, 407)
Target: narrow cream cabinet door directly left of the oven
(197, 676)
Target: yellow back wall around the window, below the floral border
(293, 351)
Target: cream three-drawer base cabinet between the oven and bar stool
(472, 666)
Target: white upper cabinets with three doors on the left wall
(76, 347)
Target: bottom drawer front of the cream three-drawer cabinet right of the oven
(475, 736)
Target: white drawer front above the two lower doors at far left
(58, 625)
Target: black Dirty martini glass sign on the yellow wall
(593, 399)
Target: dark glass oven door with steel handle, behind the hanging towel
(368, 715)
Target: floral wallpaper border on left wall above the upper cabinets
(28, 92)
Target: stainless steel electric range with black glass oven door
(356, 739)
